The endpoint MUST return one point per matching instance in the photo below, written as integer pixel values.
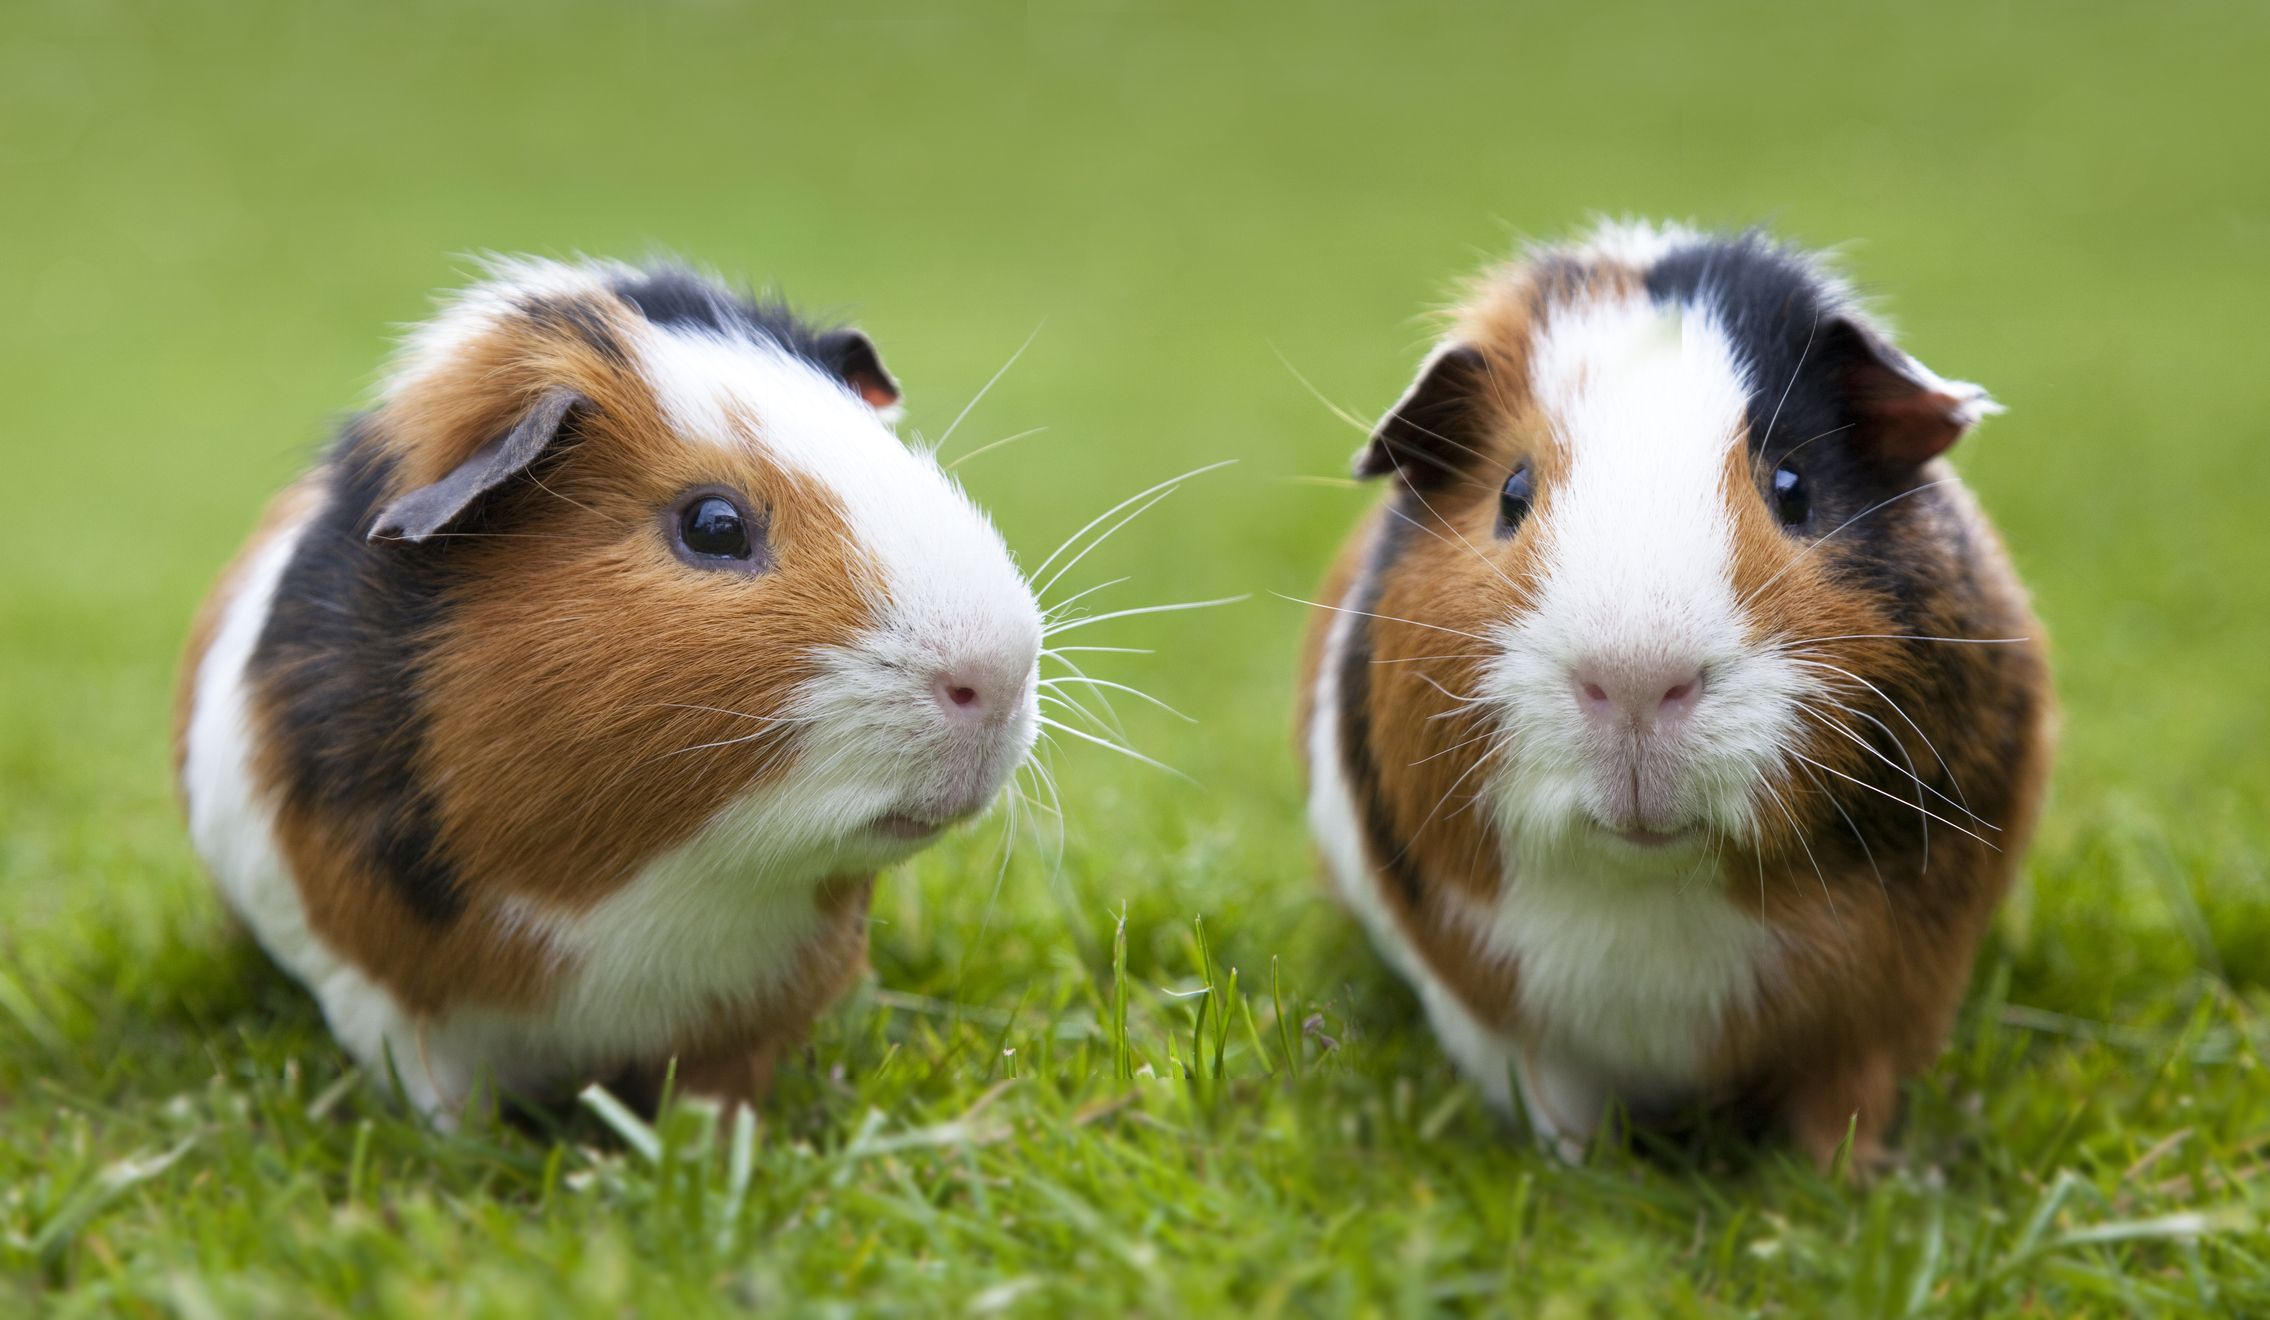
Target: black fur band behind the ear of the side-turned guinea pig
(339, 667)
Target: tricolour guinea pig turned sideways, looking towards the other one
(557, 724)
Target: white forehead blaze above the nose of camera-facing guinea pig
(1645, 401)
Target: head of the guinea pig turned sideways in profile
(684, 574)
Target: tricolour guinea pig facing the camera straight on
(1676, 721)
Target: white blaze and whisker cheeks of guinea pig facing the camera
(1638, 569)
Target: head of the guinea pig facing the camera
(1667, 506)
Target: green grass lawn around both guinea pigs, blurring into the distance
(1068, 1098)
